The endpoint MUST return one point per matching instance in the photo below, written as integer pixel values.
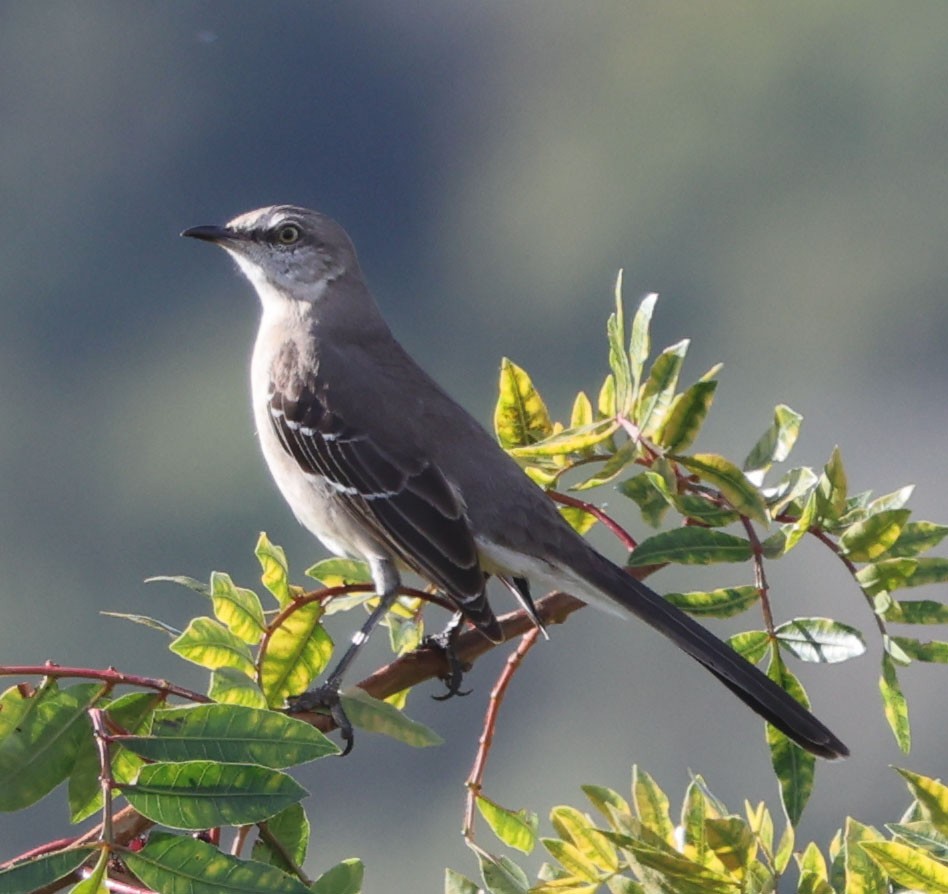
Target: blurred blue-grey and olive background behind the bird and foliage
(777, 173)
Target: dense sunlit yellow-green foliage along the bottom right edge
(634, 845)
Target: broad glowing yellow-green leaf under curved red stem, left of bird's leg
(297, 653)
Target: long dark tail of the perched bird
(748, 683)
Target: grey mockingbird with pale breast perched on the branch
(380, 464)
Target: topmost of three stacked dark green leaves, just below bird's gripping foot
(230, 734)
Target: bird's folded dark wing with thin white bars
(404, 500)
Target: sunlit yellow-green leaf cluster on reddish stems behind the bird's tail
(637, 437)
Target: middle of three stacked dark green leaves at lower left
(204, 794)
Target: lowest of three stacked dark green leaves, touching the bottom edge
(177, 865)
